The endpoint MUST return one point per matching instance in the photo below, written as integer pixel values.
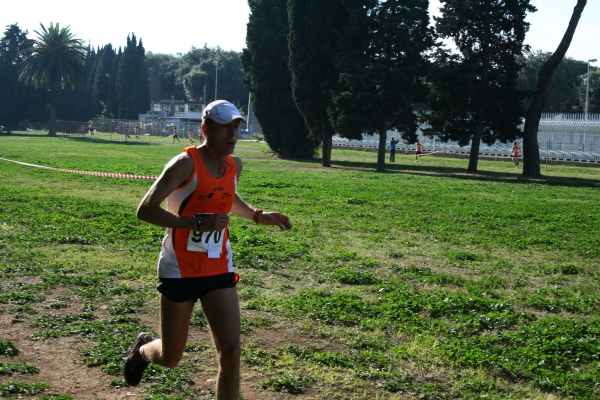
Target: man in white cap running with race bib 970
(195, 263)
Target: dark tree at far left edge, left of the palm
(17, 102)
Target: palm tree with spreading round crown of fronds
(57, 59)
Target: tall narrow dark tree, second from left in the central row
(314, 28)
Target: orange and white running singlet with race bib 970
(193, 254)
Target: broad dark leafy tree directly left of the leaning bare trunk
(474, 93)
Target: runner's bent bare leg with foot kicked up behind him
(174, 324)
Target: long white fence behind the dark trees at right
(560, 137)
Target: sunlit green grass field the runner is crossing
(422, 282)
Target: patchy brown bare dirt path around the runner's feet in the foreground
(61, 367)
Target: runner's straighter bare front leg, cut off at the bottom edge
(222, 311)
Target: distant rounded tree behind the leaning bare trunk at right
(563, 87)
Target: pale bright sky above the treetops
(176, 27)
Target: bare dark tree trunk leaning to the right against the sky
(531, 150)
